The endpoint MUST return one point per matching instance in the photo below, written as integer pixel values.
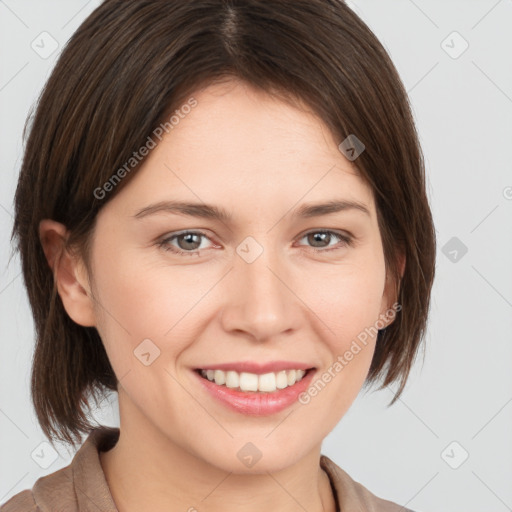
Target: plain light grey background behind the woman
(459, 402)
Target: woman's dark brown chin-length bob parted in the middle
(123, 73)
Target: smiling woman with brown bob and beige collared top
(221, 215)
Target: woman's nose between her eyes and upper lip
(260, 299)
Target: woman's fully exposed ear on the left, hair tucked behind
(68, 272)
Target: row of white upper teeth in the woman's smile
(245, 381)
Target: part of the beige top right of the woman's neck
(352, 495)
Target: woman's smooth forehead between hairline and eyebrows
(240, 146)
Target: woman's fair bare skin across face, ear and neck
(260, 159)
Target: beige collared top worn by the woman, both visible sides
(82, 487)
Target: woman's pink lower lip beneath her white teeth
(257, 403)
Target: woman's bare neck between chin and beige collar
(151, 473)
